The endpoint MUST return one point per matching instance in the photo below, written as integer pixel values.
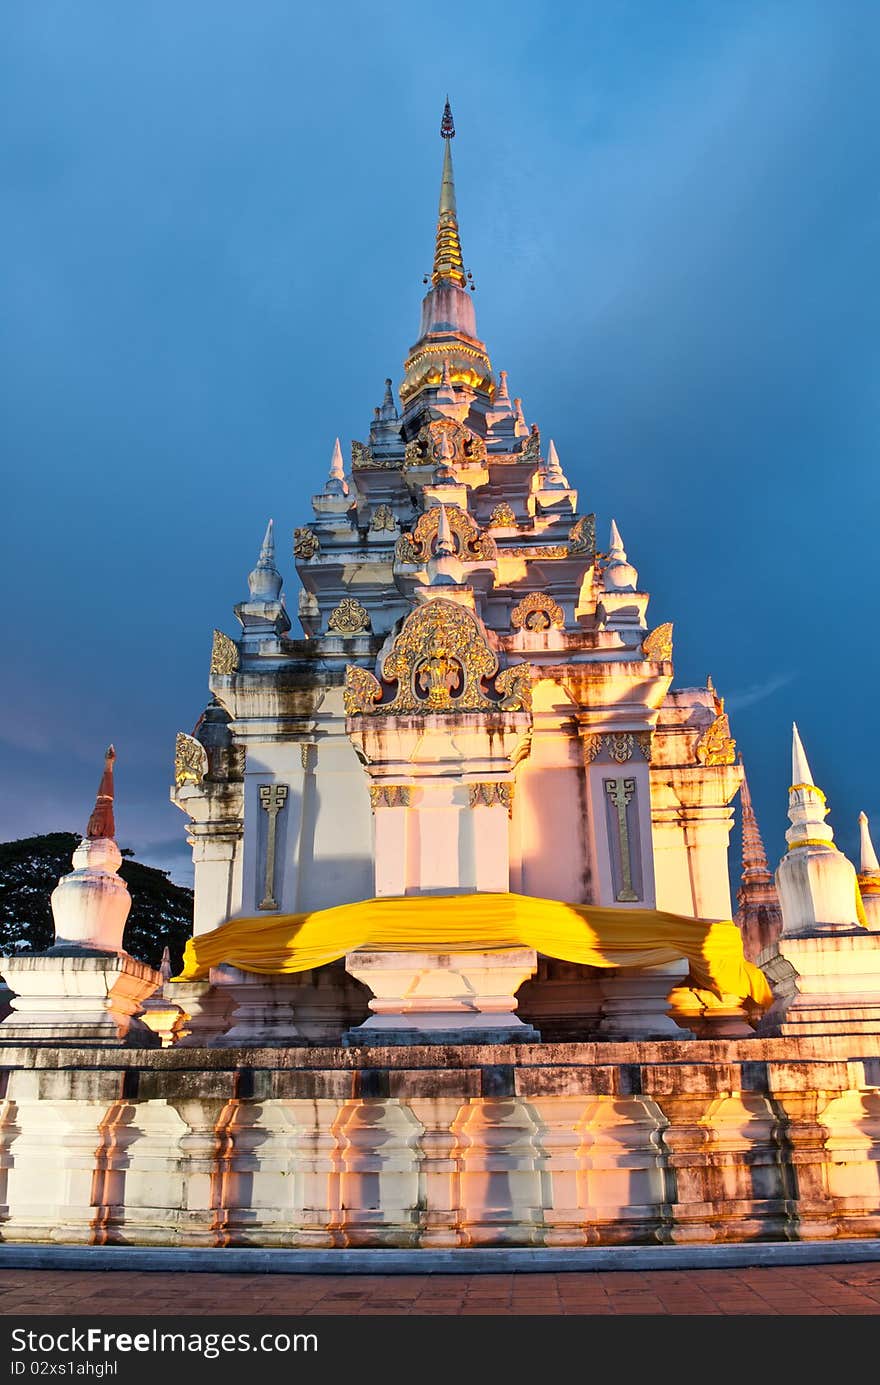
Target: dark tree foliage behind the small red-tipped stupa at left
(30, 870)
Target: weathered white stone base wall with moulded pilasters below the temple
(653, 1143)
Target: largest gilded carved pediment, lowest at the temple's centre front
(440, 663)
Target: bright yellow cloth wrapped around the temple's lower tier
(586, 934)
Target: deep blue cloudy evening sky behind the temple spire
(217, 220)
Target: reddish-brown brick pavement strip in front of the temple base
(839, 1290)
